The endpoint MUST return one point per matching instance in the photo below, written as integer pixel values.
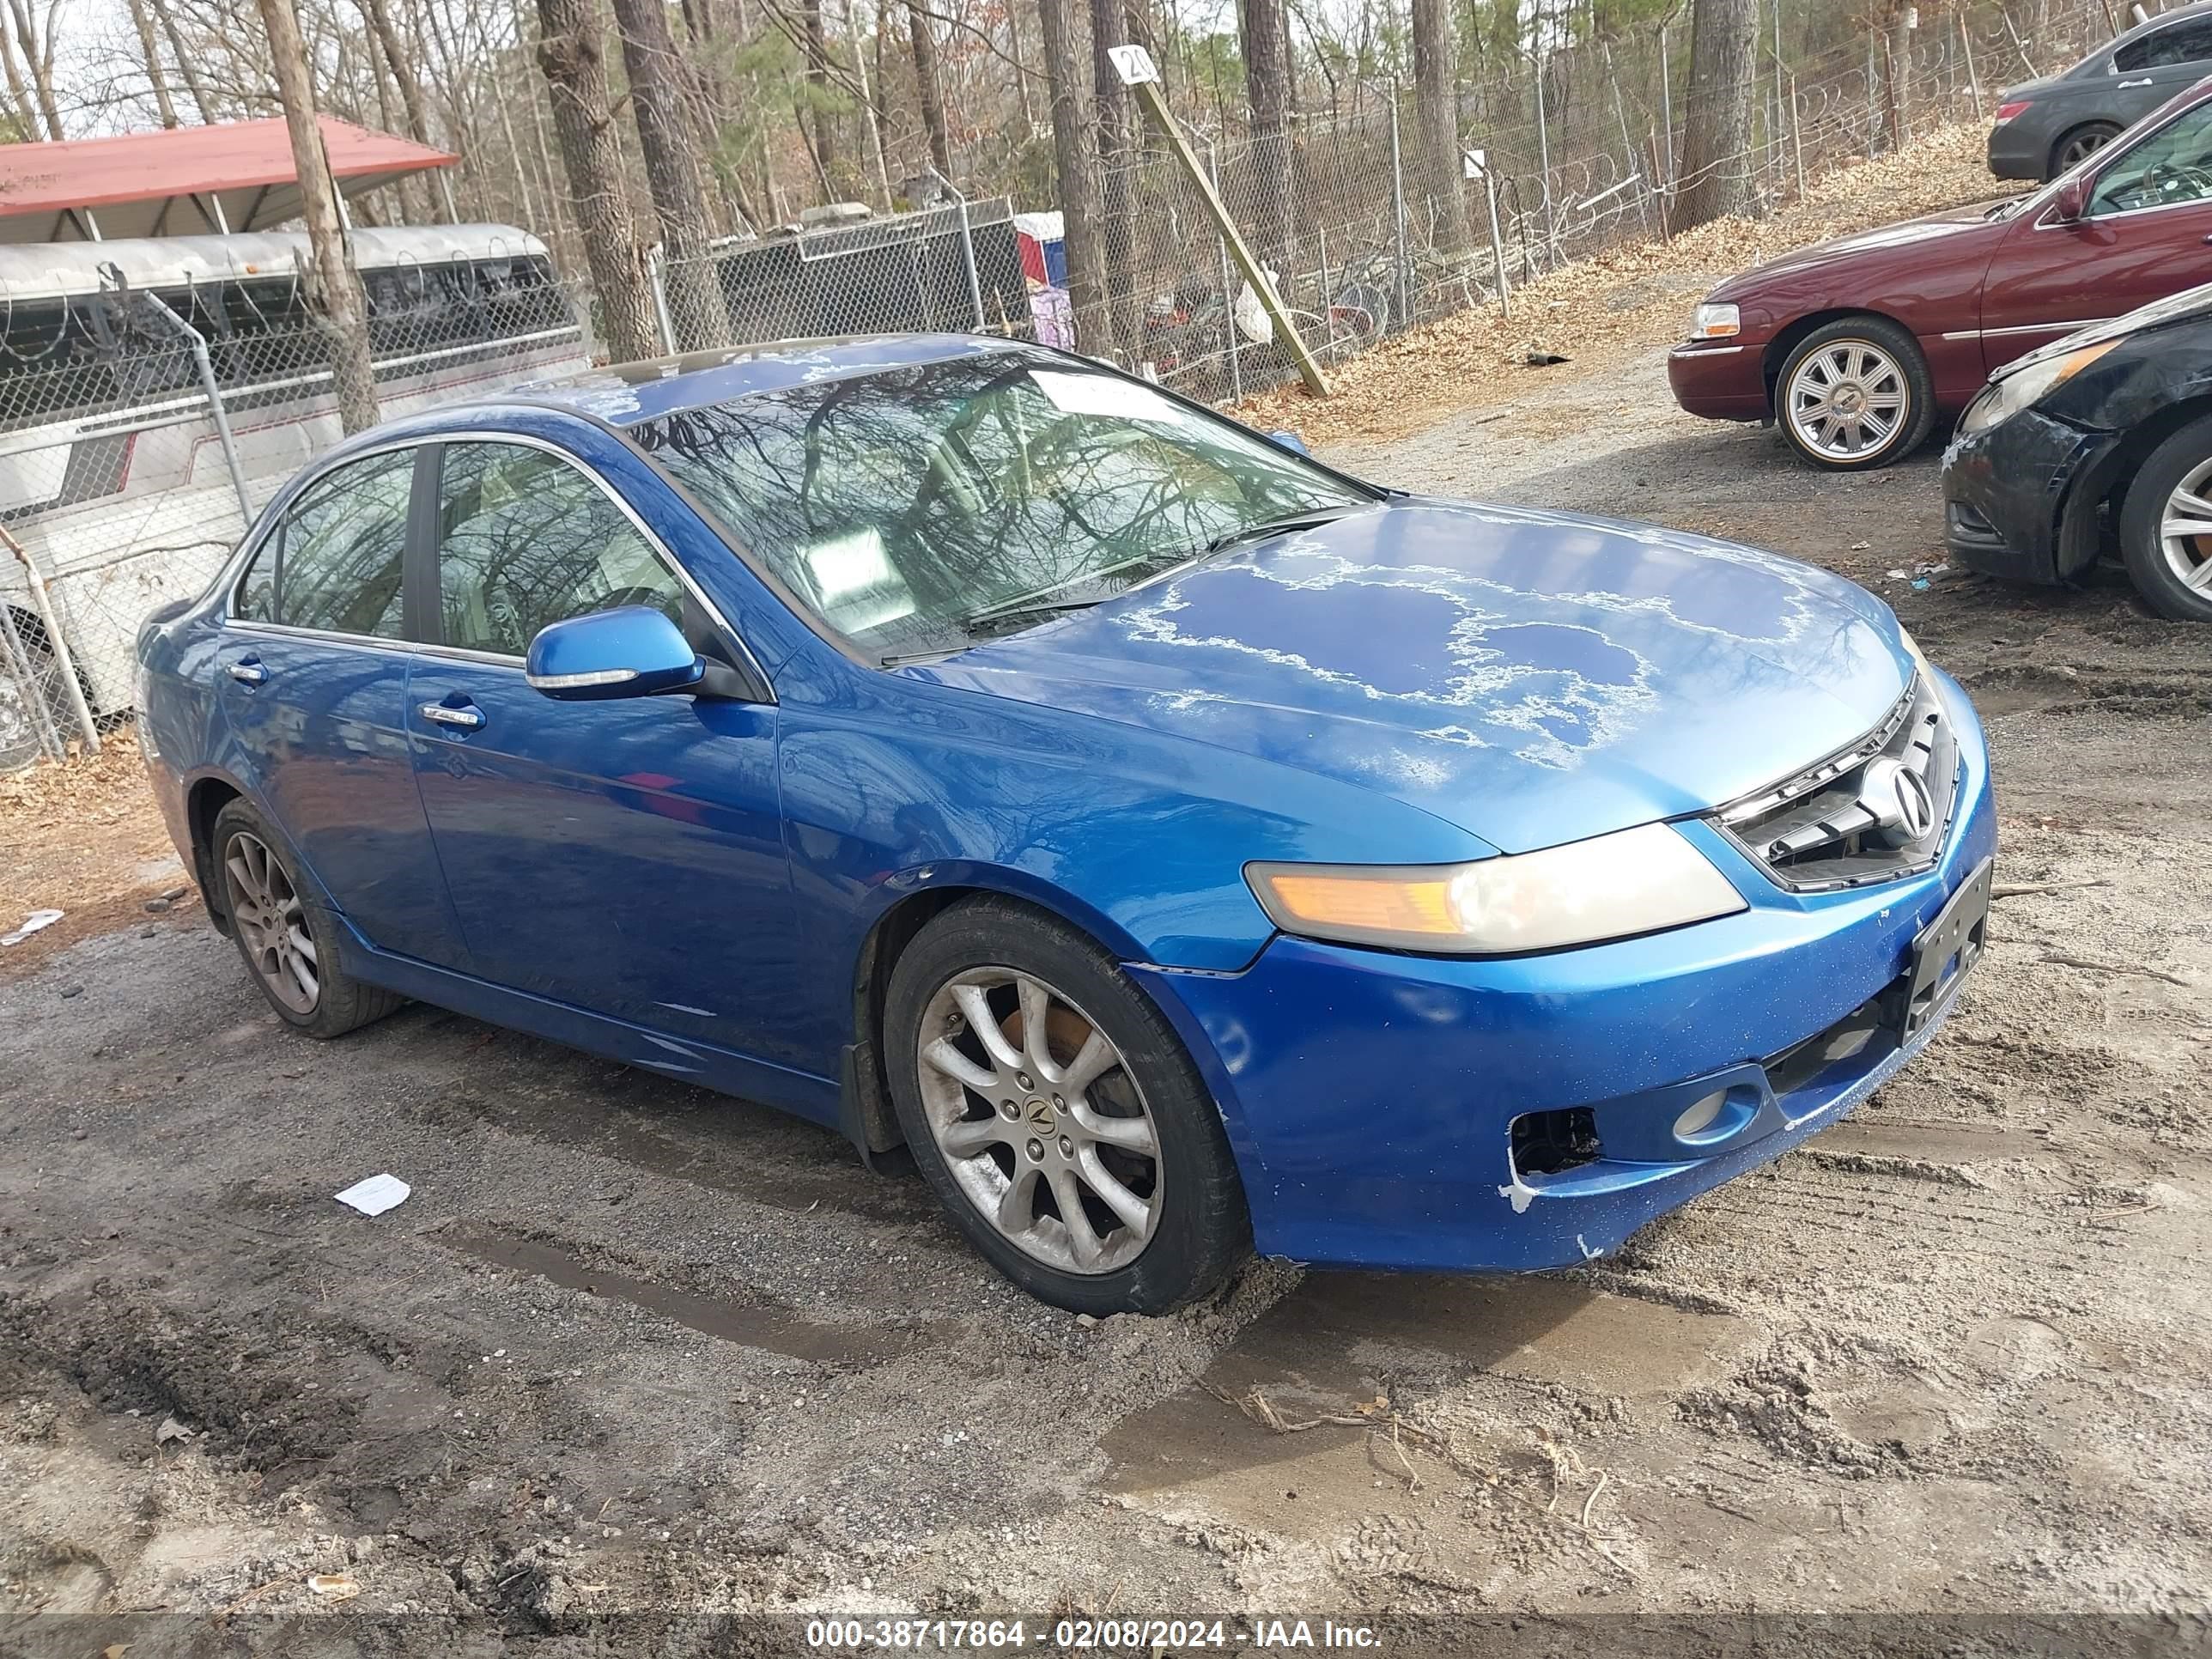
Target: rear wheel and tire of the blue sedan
(289, 946)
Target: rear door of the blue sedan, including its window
(313, 685)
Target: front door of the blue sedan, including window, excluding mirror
(625, 857)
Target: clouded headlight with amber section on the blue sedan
(1634, 881)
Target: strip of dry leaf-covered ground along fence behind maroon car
(1627, 300)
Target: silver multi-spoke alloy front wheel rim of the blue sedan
(1039, 1120)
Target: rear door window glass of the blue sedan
(337, 559)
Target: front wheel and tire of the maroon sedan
(1855, 395)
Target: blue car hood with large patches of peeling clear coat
(1532, 678)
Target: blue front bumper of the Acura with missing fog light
(1373, 1098)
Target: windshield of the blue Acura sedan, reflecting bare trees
(924, 508)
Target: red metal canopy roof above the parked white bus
(236, 176)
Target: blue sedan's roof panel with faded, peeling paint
(625, 395)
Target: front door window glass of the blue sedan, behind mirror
(525, 539)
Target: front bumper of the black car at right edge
(2021, 499)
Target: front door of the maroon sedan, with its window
(2142, 236)
